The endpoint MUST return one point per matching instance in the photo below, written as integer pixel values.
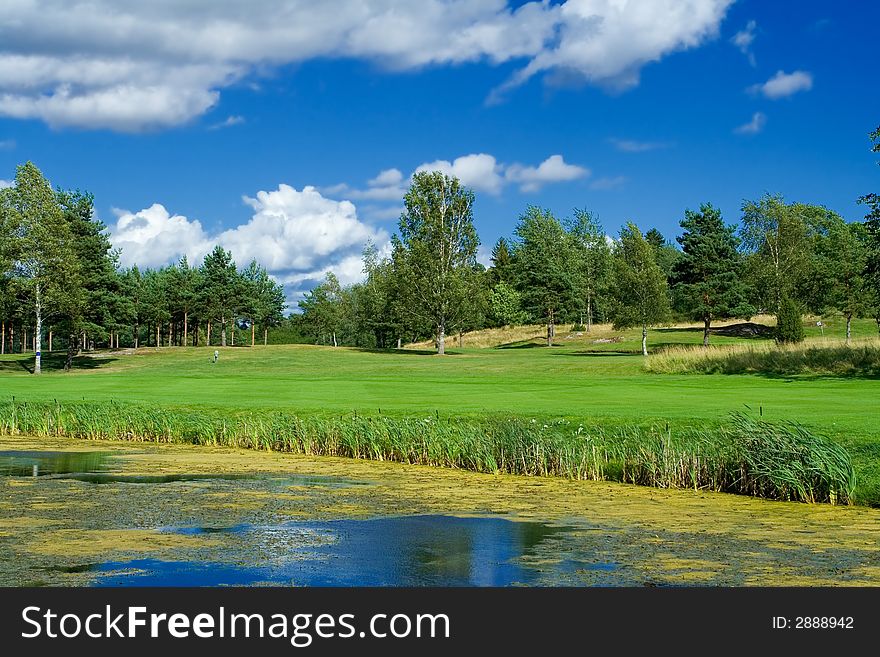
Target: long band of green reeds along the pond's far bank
(743, 455)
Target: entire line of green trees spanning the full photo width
(61, 282)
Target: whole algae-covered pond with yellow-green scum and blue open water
(124, 514)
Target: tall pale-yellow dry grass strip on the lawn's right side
(859, 358)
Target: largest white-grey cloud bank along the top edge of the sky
(150, 65)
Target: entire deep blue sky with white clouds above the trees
(287, 133)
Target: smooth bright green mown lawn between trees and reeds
(602, 384)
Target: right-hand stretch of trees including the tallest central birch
(783, 259)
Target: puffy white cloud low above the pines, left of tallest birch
(297, 235)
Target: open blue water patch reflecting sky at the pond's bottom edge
(399, 551)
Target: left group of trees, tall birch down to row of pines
(61, 286)
